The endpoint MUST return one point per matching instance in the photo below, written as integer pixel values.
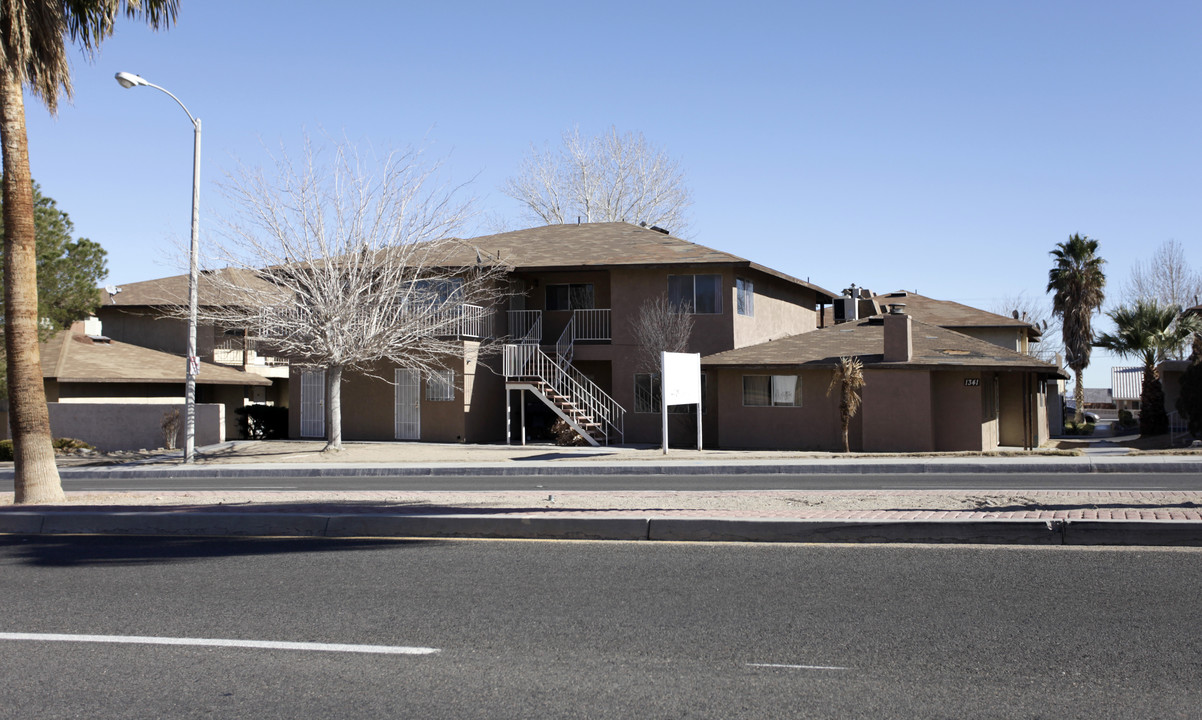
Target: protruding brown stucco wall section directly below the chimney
(897, 410)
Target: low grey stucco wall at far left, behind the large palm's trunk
(111, 426)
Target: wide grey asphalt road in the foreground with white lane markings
(597, 630)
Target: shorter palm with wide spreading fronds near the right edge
(1151, 332)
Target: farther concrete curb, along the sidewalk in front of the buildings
(517, 468)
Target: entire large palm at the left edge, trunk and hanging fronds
(33, 39)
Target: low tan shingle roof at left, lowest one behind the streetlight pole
(73, 358)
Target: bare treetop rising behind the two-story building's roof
(610, 178)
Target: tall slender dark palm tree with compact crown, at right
(1078, 282)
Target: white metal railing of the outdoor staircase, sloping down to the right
(529, 362)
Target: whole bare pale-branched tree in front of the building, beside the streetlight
(350, 265)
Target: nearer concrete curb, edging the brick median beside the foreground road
(213, 525)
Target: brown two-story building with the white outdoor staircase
(564, 347)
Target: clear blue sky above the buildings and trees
(939, 147)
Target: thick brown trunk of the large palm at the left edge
(37, 478)
